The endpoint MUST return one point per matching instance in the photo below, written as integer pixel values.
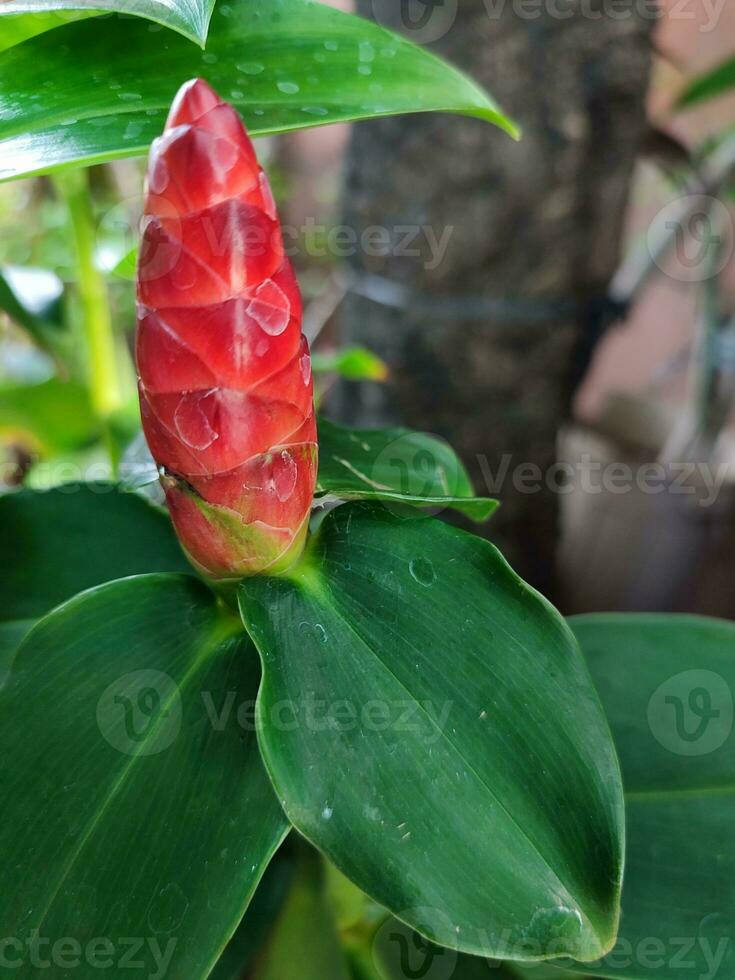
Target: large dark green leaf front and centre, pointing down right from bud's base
(429, 723)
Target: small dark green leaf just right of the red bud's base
(398, 466)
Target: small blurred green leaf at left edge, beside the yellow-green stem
(54, 415)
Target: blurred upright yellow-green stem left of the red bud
(104, 380)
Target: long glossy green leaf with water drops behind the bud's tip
(101, 89)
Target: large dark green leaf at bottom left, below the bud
(135, 806)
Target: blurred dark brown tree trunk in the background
(538, 221)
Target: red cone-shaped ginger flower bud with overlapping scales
(225, 384)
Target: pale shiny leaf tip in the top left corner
(188, 17)
